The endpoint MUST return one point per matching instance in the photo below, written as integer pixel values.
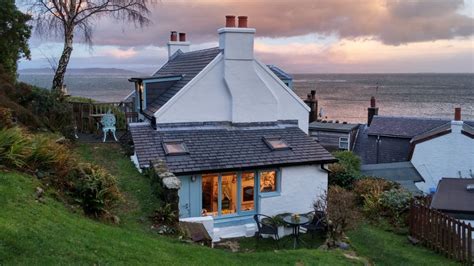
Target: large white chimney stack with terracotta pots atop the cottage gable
(237, 43)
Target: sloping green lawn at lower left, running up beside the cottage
(49, 233)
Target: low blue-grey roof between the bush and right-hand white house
(403, 173)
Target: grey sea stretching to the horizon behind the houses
(343, 97)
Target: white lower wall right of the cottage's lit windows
(301, 186)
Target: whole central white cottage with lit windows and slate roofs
(232, 132)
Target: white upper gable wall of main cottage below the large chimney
(237, 91)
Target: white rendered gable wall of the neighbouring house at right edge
(443, 156)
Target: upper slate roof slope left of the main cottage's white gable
(187, 64)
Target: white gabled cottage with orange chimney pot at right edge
(445, 151)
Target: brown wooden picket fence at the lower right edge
(441, 233)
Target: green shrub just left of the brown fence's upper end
(396, 204)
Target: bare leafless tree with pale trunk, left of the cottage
(66, 17)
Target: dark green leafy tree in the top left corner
(14, 35)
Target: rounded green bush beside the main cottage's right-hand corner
(345, 171)
